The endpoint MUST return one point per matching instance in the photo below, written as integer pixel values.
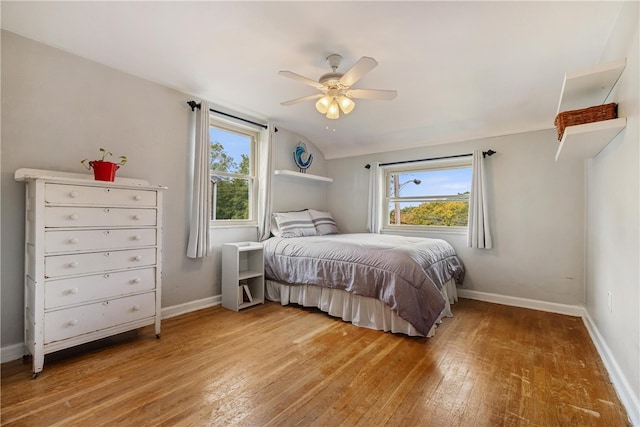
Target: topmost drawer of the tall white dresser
(103, 196)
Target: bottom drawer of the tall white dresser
(62, 324)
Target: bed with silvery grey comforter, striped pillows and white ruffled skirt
(386, 282)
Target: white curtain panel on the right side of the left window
(265, 176)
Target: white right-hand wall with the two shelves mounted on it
(613, 224)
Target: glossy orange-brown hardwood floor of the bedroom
(490, 365)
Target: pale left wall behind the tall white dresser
(58, 109)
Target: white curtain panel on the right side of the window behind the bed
(479, 234)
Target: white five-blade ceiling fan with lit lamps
(335, 88)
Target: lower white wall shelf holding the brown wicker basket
(587, 140)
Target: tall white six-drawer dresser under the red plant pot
(93, 257)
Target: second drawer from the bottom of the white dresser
(78, 290)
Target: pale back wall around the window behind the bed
(537, 220)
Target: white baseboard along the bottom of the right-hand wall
(630, 401)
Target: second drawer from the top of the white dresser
(98, 217)
